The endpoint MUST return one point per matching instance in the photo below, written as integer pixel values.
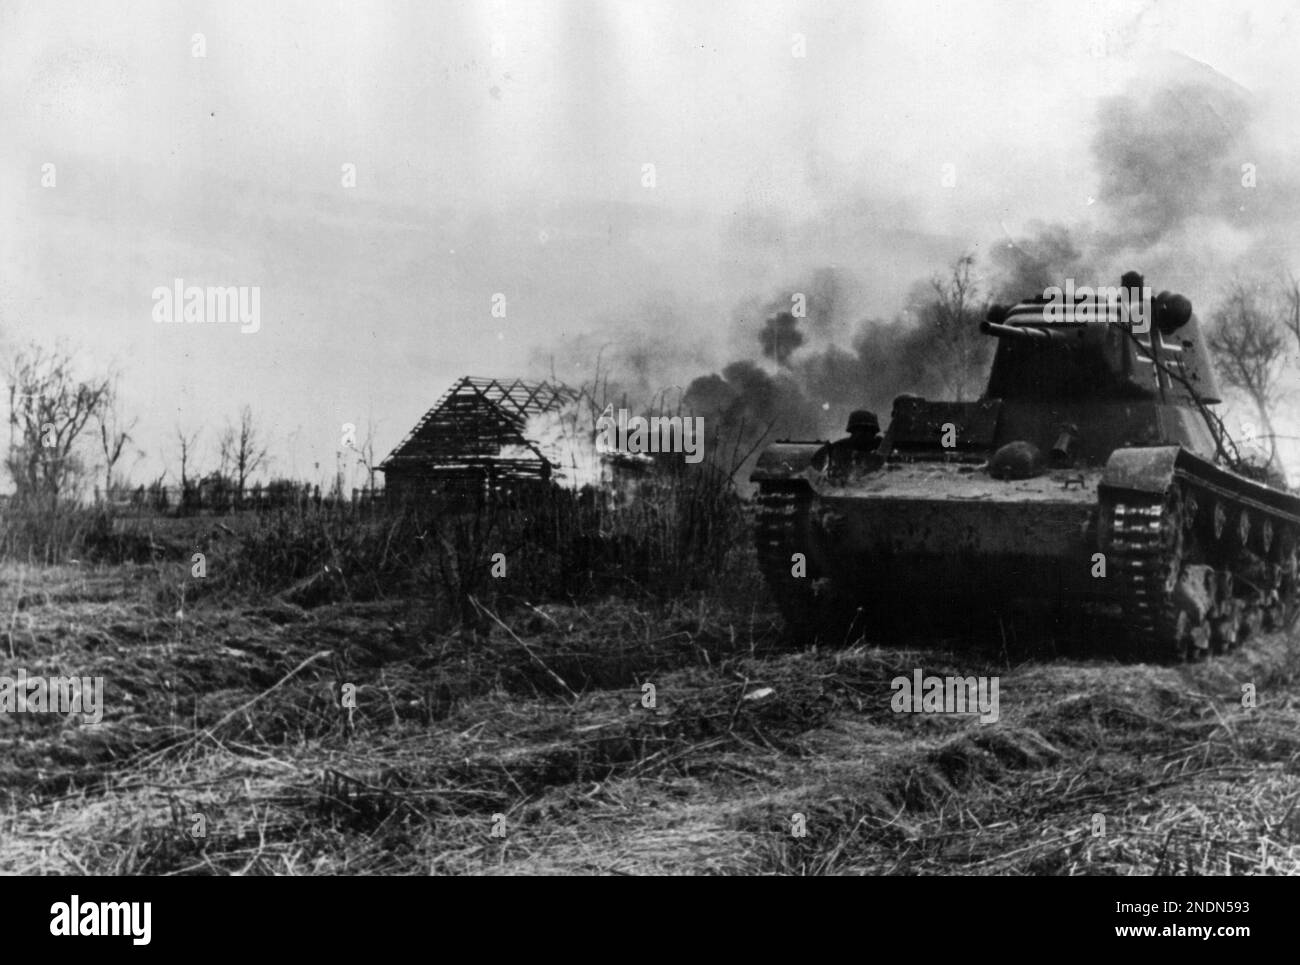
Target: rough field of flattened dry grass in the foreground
(522, 745)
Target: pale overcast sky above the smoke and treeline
(501, 148)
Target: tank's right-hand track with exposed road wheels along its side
(1198, 572)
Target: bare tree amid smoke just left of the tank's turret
(951, 310)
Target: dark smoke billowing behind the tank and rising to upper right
(1171, 185)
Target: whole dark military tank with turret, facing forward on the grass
(1091, 479)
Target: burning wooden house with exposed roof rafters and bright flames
(489, 436)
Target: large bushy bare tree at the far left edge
(49, 410)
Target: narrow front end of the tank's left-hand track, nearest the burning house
(781, 530)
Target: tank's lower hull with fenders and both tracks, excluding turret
(943, 534)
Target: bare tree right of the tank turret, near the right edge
(1249, 343)
